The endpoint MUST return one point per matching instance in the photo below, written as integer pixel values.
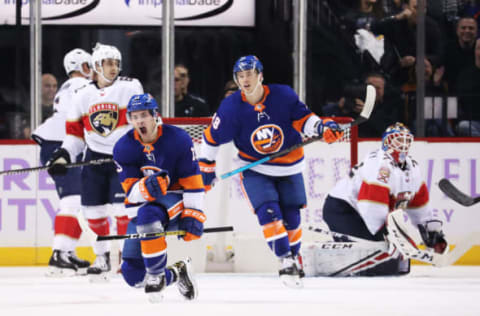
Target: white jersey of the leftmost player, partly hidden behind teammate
(53, 128)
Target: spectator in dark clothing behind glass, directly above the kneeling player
(187, 104)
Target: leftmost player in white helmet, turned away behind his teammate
(49, 136)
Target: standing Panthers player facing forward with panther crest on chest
(97, 119)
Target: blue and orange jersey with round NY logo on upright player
(261, 129)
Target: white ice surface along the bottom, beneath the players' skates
(426, 291)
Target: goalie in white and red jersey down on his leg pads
(367, 209)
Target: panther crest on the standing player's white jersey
(103, 117)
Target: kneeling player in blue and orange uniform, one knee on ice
(152, 159)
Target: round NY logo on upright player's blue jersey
(267, 139)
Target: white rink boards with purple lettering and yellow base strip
(28, 203)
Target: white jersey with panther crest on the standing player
(98, 117)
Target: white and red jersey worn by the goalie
(375, 186)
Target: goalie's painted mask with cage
(396, 141)
